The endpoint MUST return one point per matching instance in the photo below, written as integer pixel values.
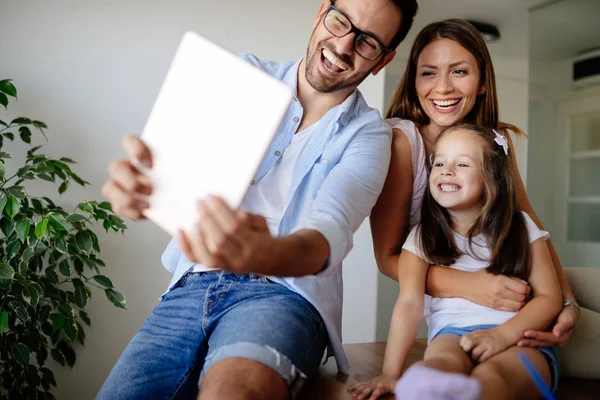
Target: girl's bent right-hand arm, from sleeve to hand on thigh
(537, 314)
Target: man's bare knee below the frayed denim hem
(241, 378)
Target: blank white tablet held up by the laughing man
(210, 127)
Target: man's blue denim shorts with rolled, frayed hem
(212, 316)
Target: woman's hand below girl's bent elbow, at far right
(560, 334)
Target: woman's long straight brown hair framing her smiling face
(405, 103)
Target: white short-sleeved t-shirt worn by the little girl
(459, 312)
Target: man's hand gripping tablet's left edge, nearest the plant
(127, 188)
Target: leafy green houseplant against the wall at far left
(48, 261)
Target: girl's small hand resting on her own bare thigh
(485, 344)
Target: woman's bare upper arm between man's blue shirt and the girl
(390, 216)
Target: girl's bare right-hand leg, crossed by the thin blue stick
(504, 376)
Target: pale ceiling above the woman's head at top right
(552, 30)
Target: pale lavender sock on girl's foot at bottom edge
(423, 383)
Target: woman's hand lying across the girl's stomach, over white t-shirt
(500, 292)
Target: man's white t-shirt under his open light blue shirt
(269, 195)
